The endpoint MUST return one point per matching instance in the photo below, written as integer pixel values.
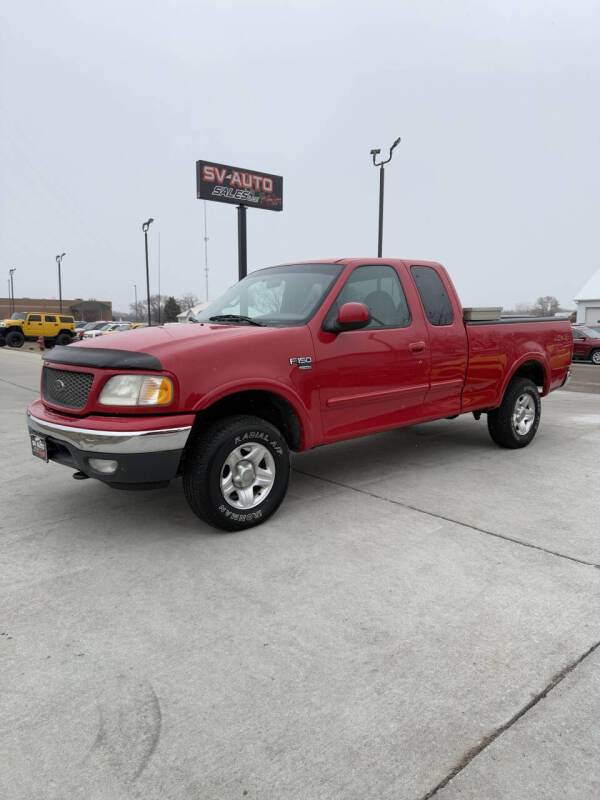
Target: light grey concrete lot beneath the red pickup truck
(419, 619)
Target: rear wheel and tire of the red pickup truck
(515, 422)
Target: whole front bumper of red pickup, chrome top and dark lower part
(122, 458)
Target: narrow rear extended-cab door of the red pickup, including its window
(447, 339)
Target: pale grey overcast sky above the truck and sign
(106, 106)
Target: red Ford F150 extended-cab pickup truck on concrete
(292, 357)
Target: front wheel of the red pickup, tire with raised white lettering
(260, 467)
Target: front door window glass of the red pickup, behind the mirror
(379, 288)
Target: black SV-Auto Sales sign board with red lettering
(243, 187)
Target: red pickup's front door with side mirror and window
(376, 377)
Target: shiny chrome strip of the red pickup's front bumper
(94, 441)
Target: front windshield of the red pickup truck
(277, 296)
